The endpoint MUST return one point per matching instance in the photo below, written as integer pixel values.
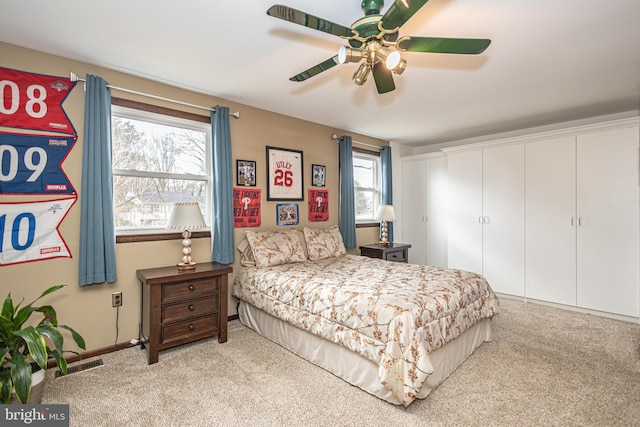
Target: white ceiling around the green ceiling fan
(550, 61)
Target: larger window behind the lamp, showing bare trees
(158, 160)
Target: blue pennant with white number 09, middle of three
(32, 164)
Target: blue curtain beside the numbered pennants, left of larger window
(97, 255)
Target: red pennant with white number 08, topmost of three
(34, 101)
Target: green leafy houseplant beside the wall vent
(24, 349)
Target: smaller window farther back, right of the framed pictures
(366, 178)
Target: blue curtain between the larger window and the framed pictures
(222, 227)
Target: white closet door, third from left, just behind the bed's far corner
(464, 170)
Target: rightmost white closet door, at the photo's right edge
(608, 233)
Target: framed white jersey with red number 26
(284, 174)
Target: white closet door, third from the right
(503, 214)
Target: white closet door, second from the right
(550, 233)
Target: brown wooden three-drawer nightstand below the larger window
(180, 307)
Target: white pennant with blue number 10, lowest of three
(29, 231)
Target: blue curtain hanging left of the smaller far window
(347, 218)
